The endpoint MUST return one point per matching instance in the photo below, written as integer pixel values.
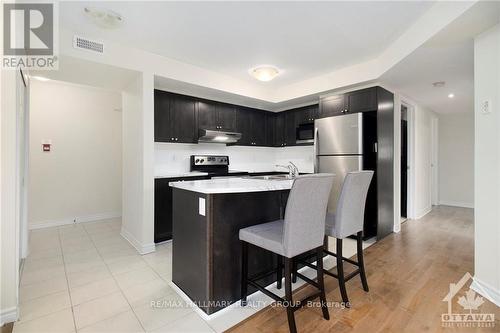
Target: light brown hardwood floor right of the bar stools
(409, 274)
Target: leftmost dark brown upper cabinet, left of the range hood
(175, 118)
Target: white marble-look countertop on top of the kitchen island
(233, 185)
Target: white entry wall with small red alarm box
(80, 178)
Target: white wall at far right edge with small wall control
(487, 165)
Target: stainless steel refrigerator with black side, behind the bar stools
(343, 144)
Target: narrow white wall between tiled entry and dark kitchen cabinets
(138, 164)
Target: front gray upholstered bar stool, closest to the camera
(302, 230)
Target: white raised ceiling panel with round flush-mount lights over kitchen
(304, 39)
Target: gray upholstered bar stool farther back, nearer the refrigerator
(348, 221)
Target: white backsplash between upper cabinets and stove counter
(174, 157)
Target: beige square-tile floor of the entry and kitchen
(87, 278)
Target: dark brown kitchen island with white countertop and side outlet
(207, 217)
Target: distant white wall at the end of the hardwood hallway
(456, 159)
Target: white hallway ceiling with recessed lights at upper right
(449, 57)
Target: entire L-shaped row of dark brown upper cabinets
(178, 118)
